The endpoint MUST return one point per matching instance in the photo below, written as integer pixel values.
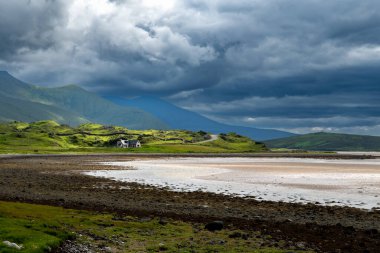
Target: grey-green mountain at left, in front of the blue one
(68, 104)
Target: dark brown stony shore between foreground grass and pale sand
(55, 180)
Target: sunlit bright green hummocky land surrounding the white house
(51, 137)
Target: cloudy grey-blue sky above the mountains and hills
(296, 65)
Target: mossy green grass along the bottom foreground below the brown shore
(43, 228)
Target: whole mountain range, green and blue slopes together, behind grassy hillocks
(73, 105)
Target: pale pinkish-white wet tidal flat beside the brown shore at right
(353, 183)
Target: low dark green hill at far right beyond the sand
(328, 142)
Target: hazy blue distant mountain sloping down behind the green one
(179, 118)
